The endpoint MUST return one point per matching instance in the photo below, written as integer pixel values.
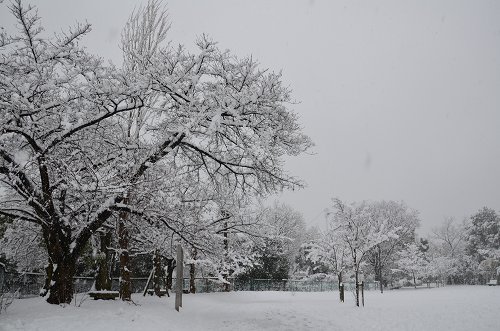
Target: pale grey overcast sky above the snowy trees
(402, 98)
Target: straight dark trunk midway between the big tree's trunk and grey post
(123, 239)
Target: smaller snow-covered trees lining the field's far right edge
(379, 241)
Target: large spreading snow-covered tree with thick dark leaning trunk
(67, 121)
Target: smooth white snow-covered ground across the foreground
(449, 308)
